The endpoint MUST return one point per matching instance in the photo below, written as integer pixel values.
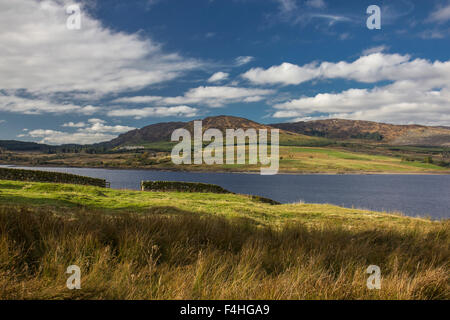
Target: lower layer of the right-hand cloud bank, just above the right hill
(401, 102)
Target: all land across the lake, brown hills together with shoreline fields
(324, 146)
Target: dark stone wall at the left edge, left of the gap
(47, 176)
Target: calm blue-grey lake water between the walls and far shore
(424, 195)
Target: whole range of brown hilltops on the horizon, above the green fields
(303, 133)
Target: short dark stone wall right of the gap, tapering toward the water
(163, 186)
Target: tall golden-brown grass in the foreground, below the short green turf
(187, 256)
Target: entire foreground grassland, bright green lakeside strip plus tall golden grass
(145, 245)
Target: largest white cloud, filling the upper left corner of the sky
(39, 54)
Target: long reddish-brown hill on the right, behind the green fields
(341, 129)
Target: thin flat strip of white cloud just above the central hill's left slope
(178, 111)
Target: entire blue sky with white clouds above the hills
(138, 62)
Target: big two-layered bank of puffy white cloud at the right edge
(419, 93)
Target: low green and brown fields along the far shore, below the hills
(292, 160)
